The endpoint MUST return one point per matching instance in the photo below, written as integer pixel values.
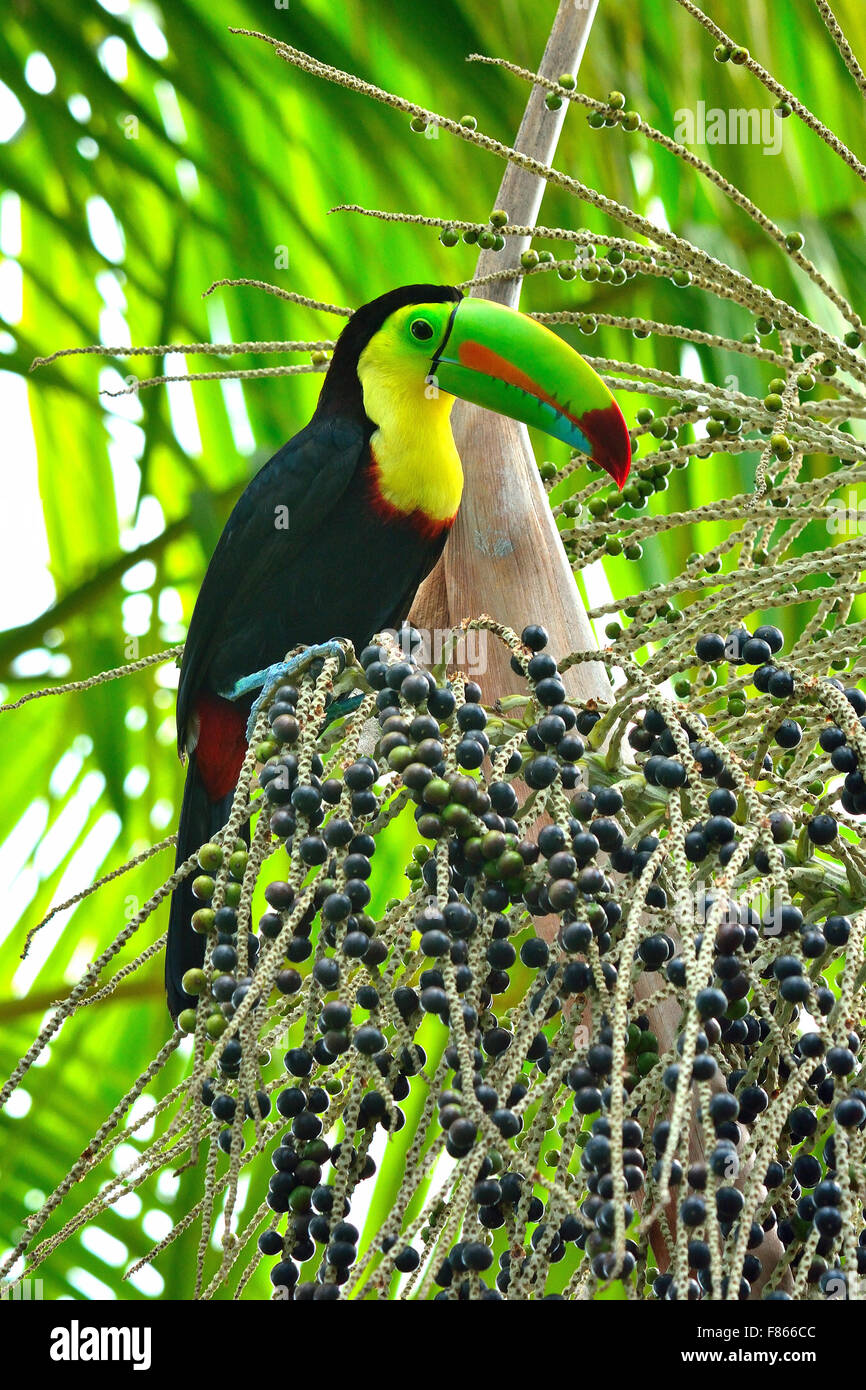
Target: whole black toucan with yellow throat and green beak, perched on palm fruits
(337, 532)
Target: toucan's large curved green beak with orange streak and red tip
(507, 362)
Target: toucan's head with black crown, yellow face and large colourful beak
(425, 338)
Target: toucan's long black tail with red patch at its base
(208, 803)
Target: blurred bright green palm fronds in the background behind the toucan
(144, 154)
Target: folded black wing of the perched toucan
(284, 507)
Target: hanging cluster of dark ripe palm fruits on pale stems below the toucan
(503, 1021)
